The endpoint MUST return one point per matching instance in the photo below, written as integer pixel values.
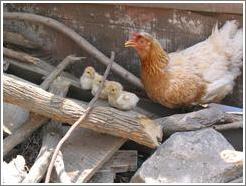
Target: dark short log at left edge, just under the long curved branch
(18, 39)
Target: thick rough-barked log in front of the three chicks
(129, 125)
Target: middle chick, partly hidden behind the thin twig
(97, 81)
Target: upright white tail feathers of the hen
(228, 40)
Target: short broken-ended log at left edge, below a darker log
(21, 56)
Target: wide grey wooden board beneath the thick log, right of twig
(86, 151)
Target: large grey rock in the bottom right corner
(188, 157)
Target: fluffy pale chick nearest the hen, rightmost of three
(120, 99)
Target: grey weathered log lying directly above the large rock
(196, 120)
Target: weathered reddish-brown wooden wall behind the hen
(108, 26)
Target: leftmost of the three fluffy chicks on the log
(87, 78)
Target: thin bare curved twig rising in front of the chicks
(87, 111)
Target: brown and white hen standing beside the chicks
(200, 74)
